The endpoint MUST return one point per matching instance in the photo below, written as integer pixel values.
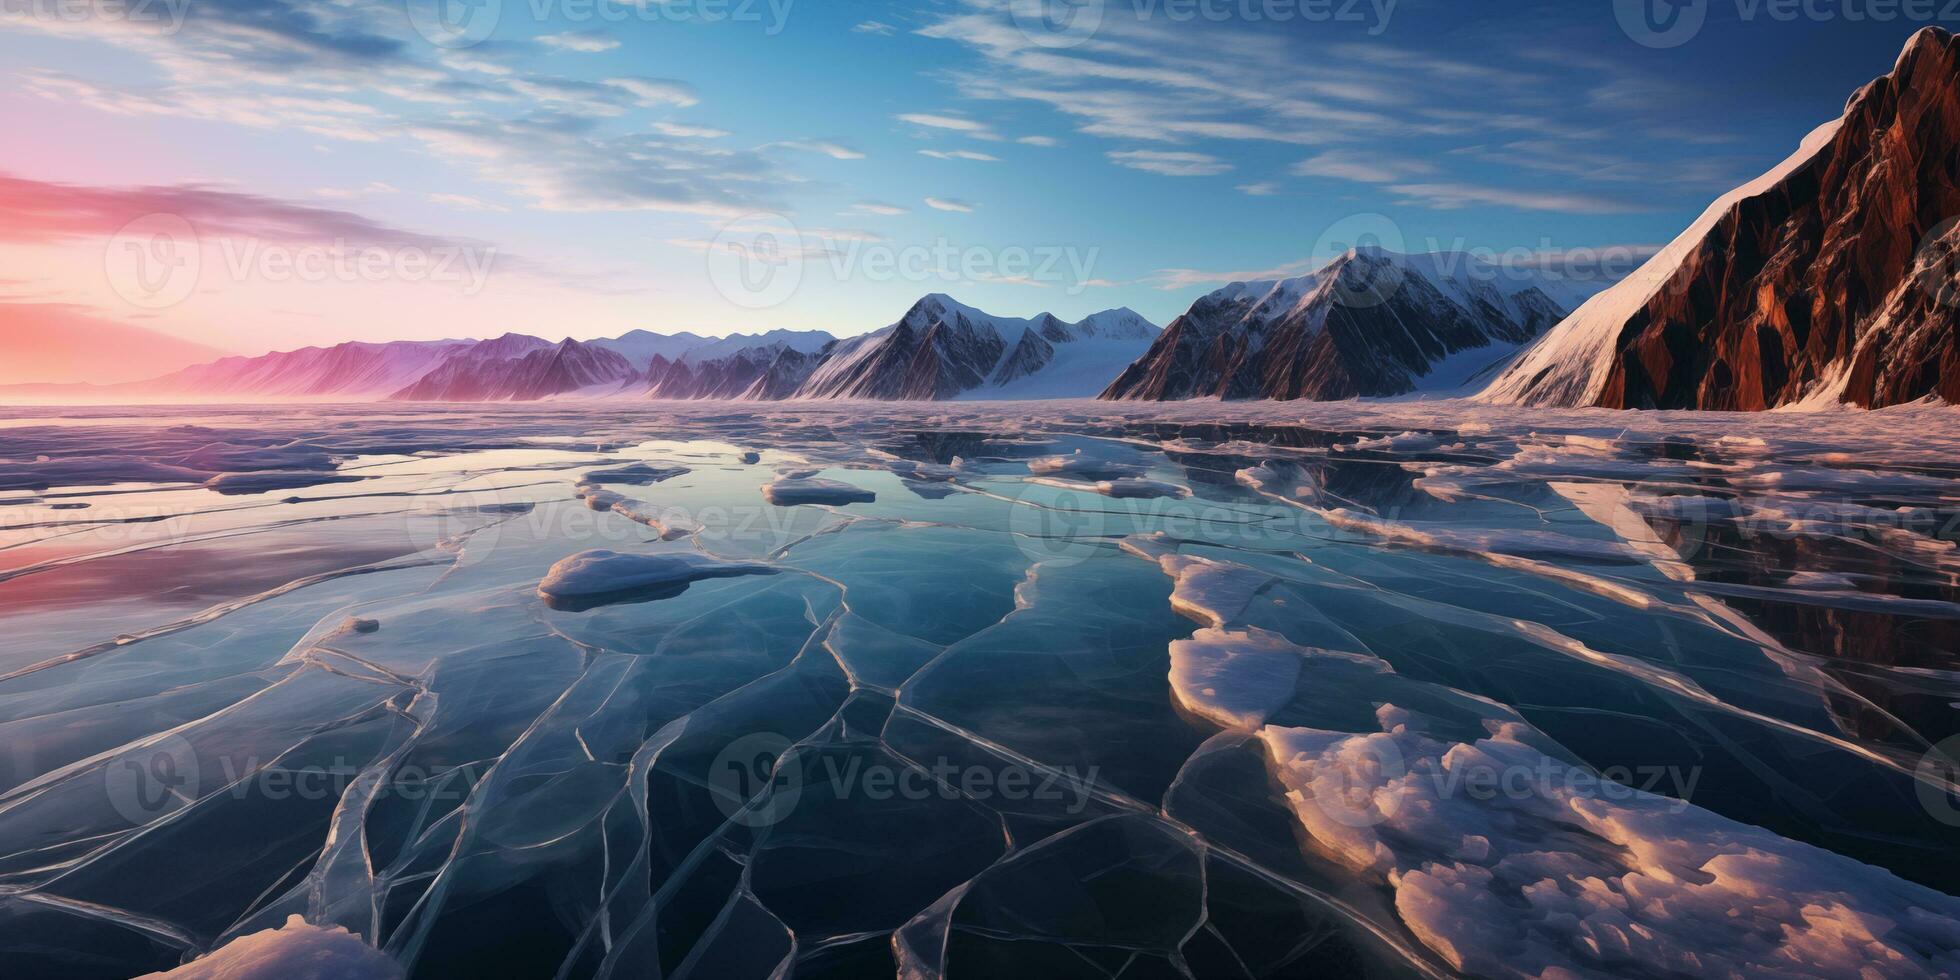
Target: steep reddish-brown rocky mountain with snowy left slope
(1826, 281)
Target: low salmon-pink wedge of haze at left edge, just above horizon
(56, 344)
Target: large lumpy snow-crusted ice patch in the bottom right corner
(1510, 863)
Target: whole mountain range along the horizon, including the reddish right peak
(1828, 281)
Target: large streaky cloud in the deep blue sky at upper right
(1383, 113)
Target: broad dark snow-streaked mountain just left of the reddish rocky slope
(1369, 324)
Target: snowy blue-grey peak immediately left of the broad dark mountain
(946, 350)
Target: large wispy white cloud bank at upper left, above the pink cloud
(326, 70)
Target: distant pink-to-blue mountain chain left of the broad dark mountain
(940, 350)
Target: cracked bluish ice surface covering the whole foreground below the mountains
(979, 691)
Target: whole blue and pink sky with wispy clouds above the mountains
(609, 160)
